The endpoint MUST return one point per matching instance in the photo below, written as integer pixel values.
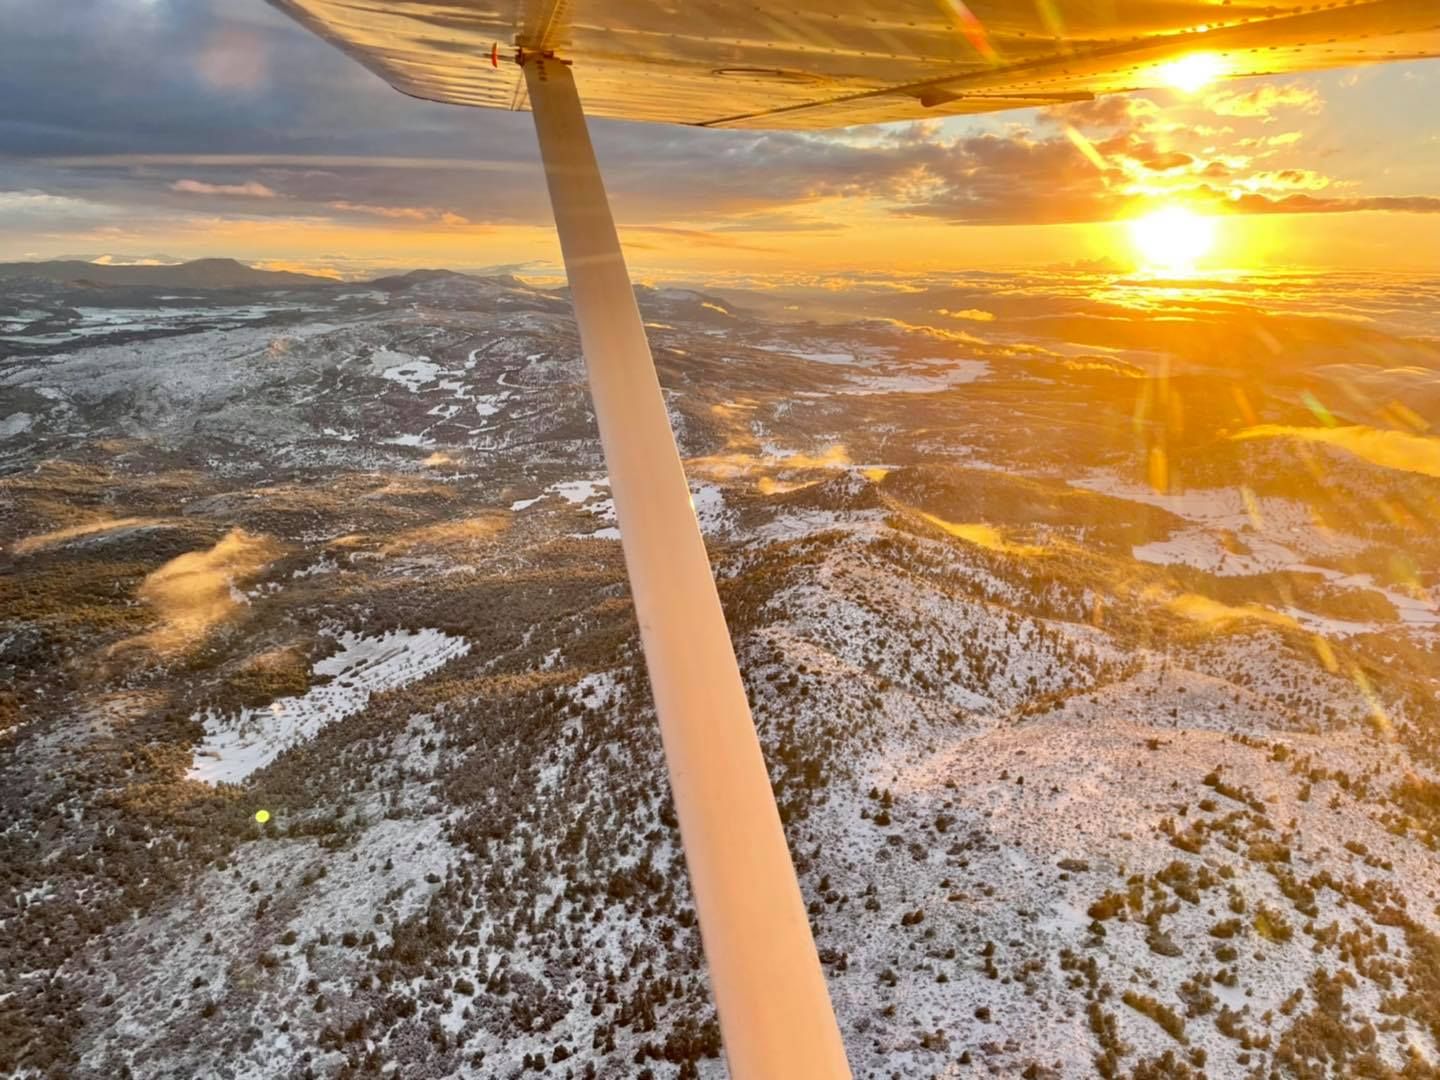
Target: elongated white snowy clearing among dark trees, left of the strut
(237, 747)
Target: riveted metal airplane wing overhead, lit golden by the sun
(819, 64)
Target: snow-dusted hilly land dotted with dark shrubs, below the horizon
(1105, 741)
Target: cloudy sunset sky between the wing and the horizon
(189, 129)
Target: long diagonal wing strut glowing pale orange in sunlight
(775, 1014)
